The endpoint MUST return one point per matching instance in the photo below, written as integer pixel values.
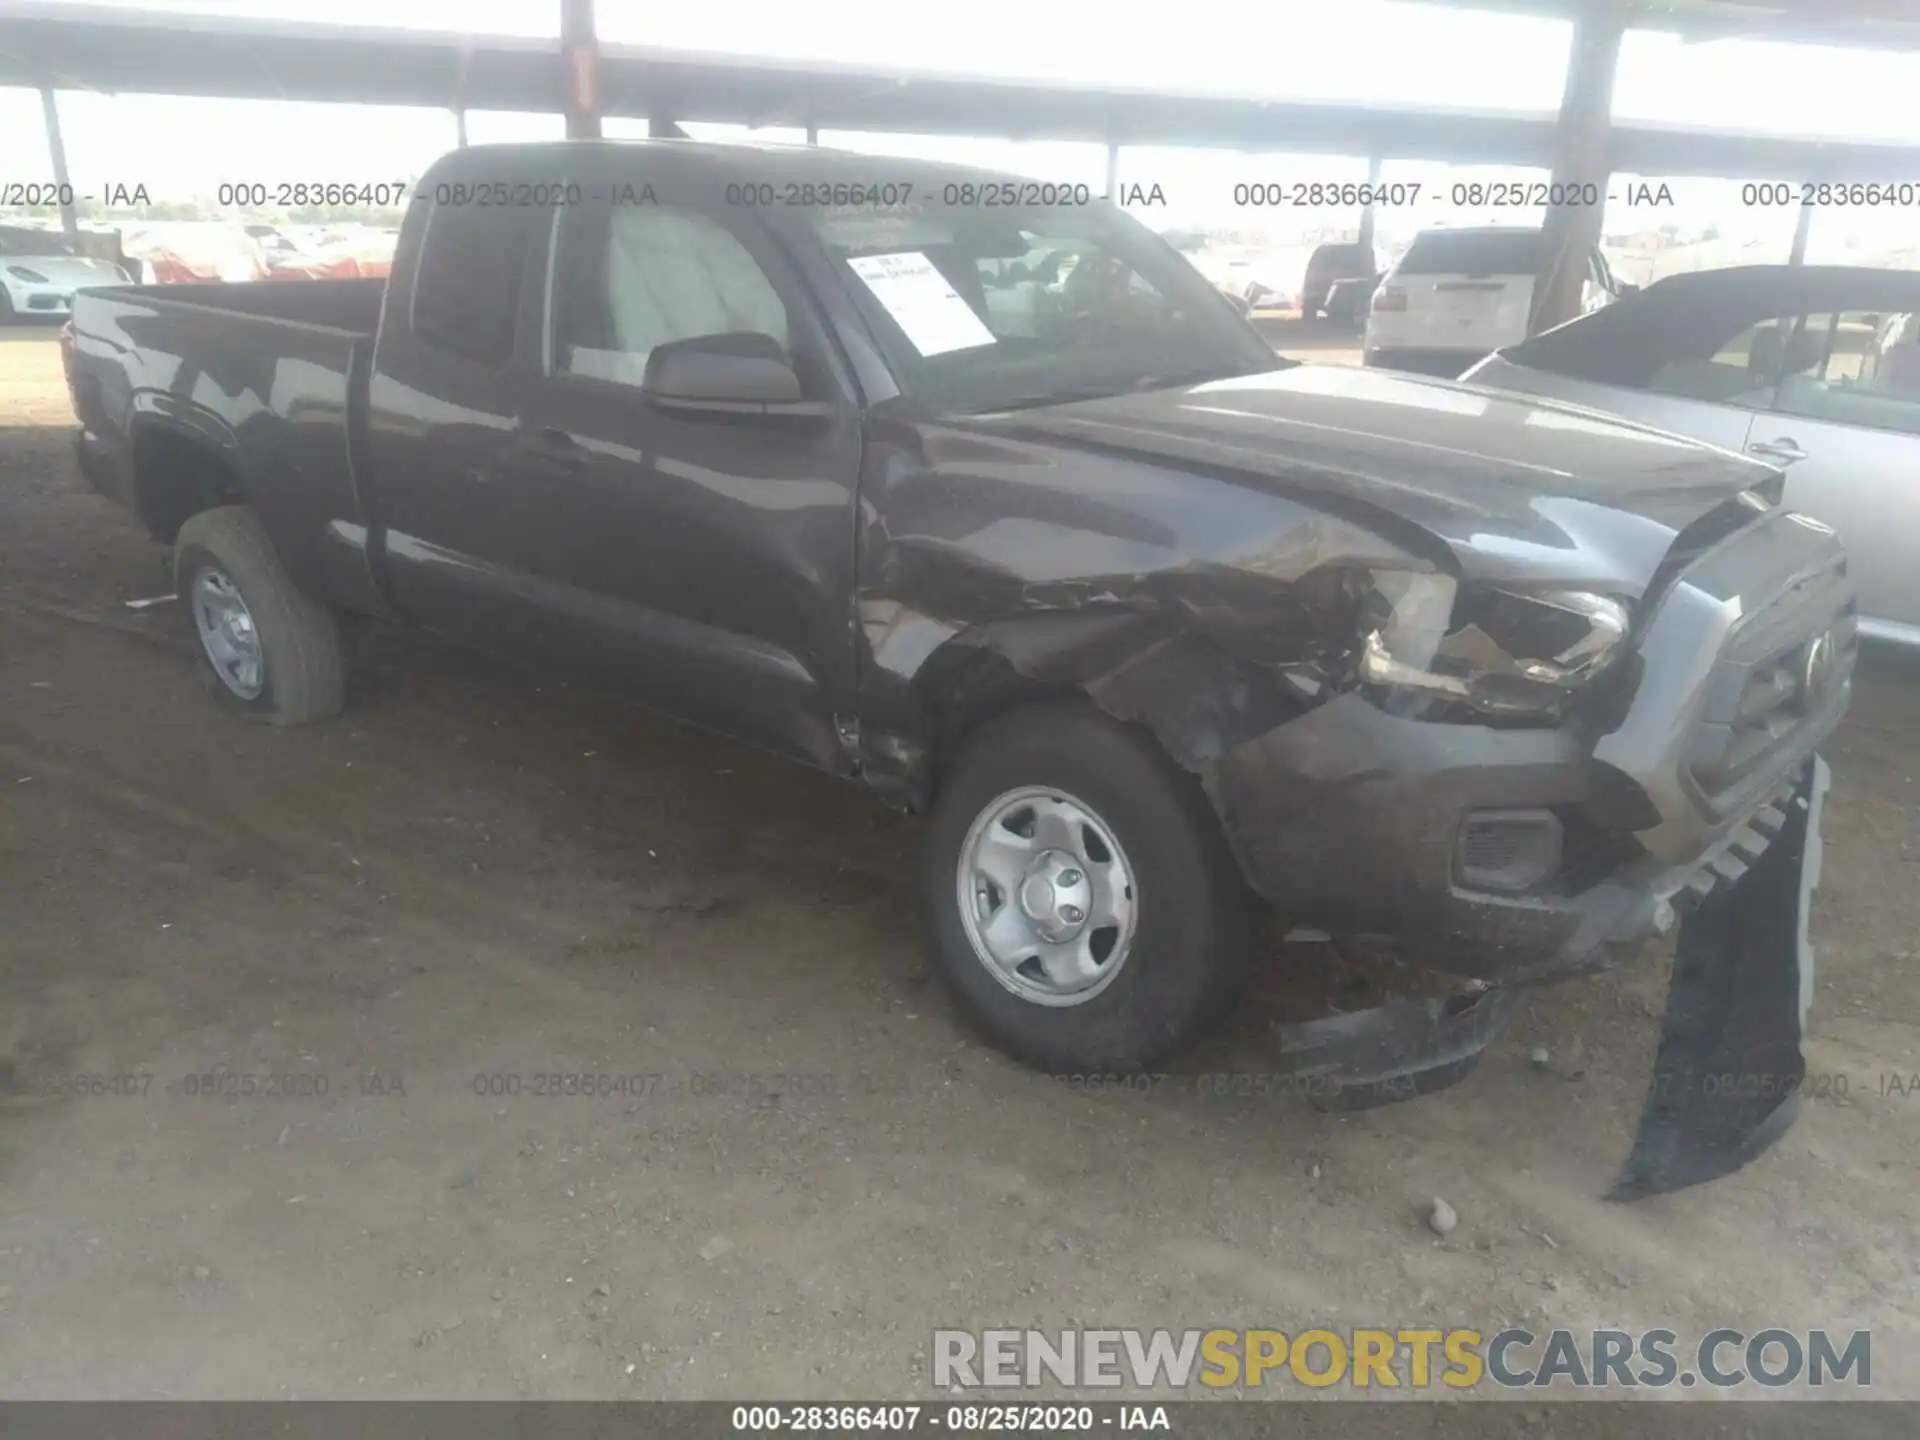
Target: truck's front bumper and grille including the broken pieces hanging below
(1706, 800)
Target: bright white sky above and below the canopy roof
(1284, 49)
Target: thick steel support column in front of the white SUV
(1581, 160)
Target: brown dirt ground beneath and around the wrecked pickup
(469, 878)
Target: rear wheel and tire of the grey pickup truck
(266, 648)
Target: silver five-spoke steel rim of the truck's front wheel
(1047, 898)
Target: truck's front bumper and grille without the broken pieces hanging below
(1351, 819)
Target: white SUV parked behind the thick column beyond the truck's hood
(1462, 295)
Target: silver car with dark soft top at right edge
(1813, 370)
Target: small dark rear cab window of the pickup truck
(468, 289)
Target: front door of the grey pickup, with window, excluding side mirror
(706, 564)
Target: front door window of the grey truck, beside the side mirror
(635, 277)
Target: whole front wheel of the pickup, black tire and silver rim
(1078, 896)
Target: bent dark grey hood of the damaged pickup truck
(1514, 489)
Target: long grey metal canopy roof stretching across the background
(160, 53)
